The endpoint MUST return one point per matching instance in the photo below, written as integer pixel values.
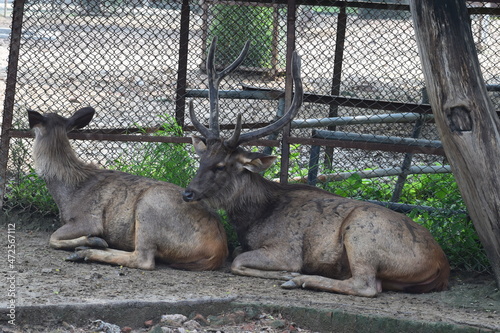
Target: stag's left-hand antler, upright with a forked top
(214, 79)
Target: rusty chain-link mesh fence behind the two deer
(360, 68)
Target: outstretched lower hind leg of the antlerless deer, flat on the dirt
(116, 257)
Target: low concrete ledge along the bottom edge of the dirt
(135, 313)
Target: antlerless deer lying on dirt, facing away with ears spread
(118, 218)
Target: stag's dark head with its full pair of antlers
(224, 165)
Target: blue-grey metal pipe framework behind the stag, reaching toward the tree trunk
(429, 146)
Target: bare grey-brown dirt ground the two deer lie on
(44, 278)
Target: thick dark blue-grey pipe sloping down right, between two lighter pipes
(345, 136)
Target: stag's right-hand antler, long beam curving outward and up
(292, 110)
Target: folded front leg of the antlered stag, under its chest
(261, 263)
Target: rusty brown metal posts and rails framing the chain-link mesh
(124, 134)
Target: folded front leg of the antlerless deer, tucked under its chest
(70, 236)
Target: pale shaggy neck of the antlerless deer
(56, 162)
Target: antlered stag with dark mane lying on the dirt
(300, 234)
